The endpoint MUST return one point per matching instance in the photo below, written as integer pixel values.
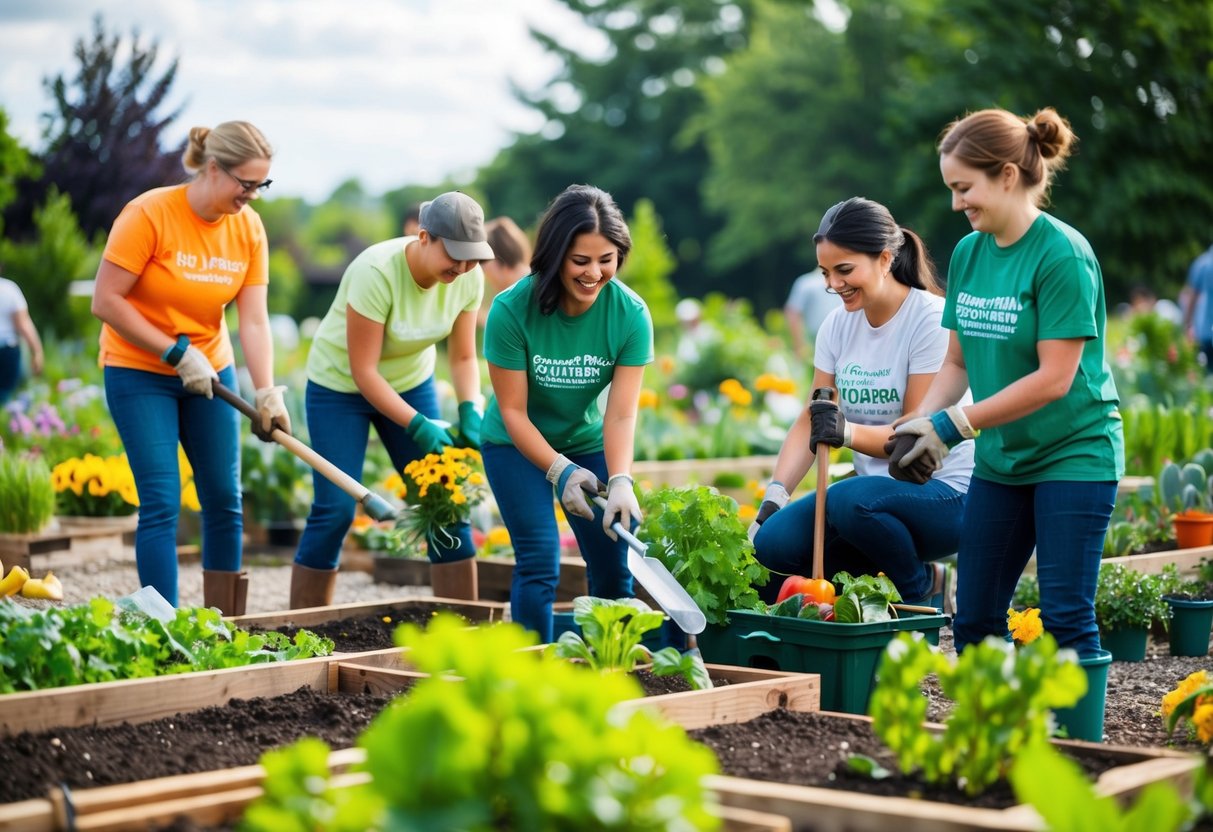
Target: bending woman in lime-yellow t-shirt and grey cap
(373, 364)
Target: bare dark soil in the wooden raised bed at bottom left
(214, 738)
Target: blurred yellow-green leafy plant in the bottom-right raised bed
(1003, 698)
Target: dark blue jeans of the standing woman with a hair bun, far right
(999, 537)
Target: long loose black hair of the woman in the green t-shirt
(579, 209)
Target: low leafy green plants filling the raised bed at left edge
(95, 642)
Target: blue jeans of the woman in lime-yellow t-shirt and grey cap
(340, 428)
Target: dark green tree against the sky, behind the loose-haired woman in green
(617, 123)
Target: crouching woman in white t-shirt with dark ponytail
(881, 352)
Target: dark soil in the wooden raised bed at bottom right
(813, 749)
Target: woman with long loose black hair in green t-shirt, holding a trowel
(555, 341)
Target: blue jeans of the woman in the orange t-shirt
(153, 413)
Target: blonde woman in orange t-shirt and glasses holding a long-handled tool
(175, 259)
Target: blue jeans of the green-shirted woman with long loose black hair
(526, 502)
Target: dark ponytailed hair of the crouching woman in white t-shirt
(861, 225)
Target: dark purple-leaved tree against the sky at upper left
(104, 134)
